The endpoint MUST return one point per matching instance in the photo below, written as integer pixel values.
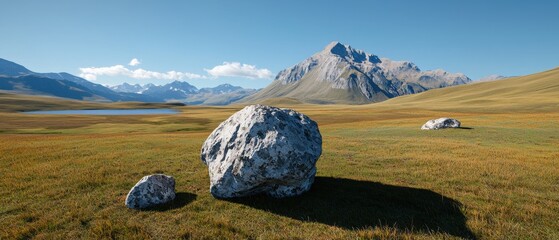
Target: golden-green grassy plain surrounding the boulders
(379, 176)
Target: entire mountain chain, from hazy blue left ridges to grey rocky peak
(337, 74)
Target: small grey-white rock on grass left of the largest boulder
(150, 191)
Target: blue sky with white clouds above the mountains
(250, 41)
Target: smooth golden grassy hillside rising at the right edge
(538, 91)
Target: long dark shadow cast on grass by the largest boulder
(353, 204)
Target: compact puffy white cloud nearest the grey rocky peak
(236, 69)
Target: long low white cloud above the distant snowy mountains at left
(91, 73)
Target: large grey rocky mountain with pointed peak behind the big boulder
(341, 74)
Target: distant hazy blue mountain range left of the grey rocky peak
(18, 79)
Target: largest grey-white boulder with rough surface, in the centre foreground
(262, 149)
